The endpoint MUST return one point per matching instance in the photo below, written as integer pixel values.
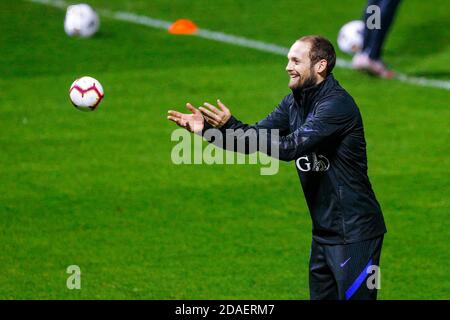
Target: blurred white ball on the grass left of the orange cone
(81, 21)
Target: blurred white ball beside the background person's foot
(350, 38)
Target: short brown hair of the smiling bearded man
(321, 48)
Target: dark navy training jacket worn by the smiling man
(322, 131)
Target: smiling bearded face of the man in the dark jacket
(301, 73)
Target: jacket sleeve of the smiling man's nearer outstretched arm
(331, 118)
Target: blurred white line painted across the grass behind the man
(235, 40)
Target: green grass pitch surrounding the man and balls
(99, 189)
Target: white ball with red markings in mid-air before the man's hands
(86, 93)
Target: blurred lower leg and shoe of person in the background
(369, 59)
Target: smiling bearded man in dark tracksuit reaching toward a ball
(321, 129)
